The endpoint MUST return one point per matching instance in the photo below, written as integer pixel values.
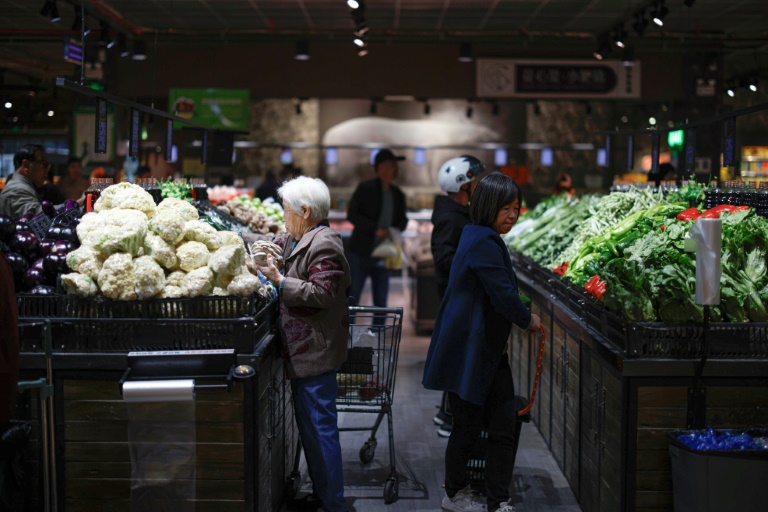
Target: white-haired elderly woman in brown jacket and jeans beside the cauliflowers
(313, 290)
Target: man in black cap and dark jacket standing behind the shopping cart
(376, 206)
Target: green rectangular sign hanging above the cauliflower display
(218, 108)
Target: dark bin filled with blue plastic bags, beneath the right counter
(717, 480)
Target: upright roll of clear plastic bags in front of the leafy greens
(705, 238)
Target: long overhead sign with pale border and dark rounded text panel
(508, 78)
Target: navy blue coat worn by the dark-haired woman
(475, 317)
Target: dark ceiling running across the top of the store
(32, 46)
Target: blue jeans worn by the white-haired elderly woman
(314, 401)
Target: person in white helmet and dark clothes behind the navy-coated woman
(449, 216)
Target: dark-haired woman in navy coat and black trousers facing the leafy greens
(467, 355)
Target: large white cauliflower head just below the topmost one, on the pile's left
(117, 230)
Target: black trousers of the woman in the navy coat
(497, 416)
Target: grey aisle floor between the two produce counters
(538, 483)
